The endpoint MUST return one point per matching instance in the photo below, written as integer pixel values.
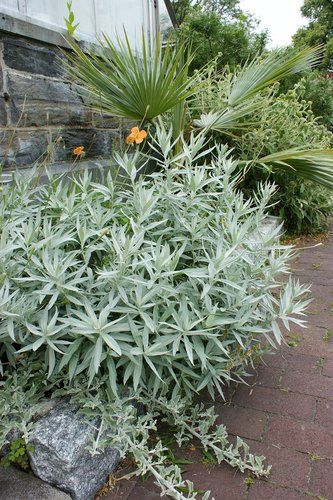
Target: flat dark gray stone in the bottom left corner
(18, 485)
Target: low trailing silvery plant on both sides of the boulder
(116, 422)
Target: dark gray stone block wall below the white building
(41, 115)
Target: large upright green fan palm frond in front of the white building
(121, 82)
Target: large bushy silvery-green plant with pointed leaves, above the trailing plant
(157, 285)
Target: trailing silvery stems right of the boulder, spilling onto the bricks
(118, 424)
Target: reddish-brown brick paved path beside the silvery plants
(287, 415)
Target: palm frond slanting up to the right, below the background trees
(261, 73)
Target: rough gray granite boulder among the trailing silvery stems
(60, 456)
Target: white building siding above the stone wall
(94, 16)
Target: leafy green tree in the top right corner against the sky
(319, 29)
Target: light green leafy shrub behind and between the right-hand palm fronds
(279, 122)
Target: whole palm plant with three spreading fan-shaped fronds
(155, 84)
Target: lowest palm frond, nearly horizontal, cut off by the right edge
(315, 165)
